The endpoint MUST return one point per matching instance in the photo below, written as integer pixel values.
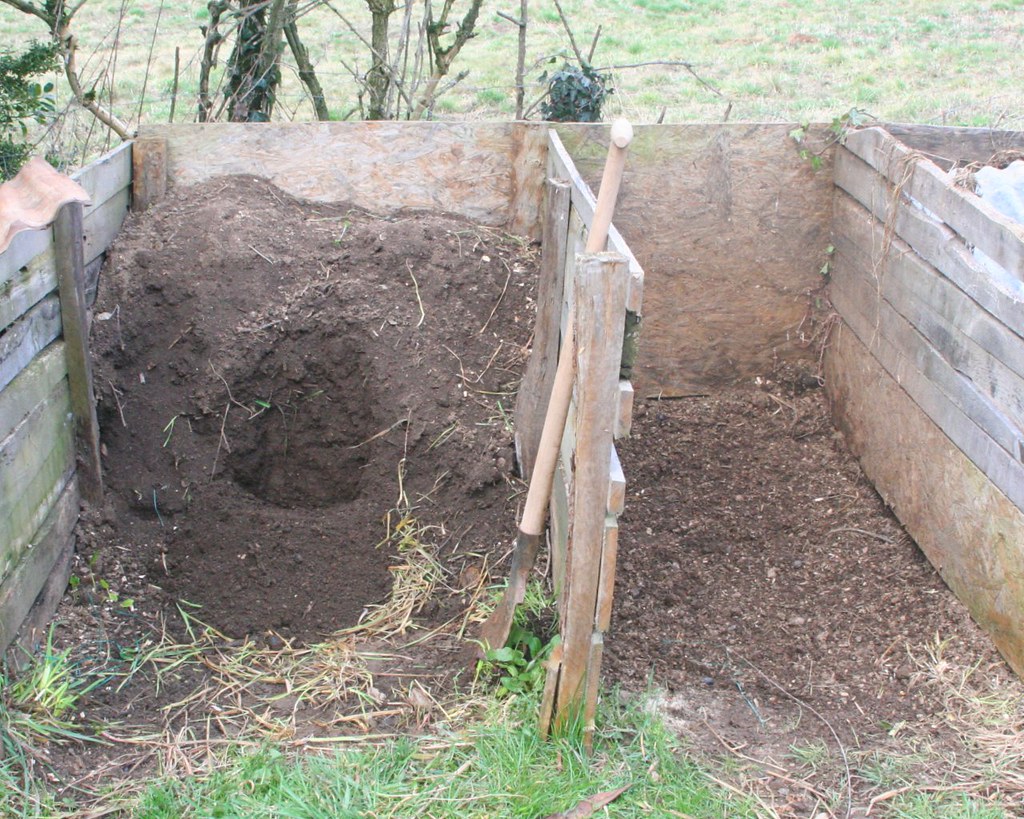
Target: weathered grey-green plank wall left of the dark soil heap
(39, 489)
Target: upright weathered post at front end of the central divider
(601, 306)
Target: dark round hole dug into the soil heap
(311, 410)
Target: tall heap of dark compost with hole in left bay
(282, 382)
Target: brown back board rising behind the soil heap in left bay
(492, 174)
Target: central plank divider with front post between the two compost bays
(604, 292)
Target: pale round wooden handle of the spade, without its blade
(562, 391)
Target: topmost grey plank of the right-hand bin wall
(979, 224)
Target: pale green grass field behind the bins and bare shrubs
(938, 62)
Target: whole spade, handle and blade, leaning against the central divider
(495, 631)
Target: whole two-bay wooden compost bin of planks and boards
(733, 228)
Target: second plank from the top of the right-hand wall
(1002, 295)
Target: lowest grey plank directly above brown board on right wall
(867, 322)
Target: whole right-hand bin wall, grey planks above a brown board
(927, 371)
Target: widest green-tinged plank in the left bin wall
(34, 460)
